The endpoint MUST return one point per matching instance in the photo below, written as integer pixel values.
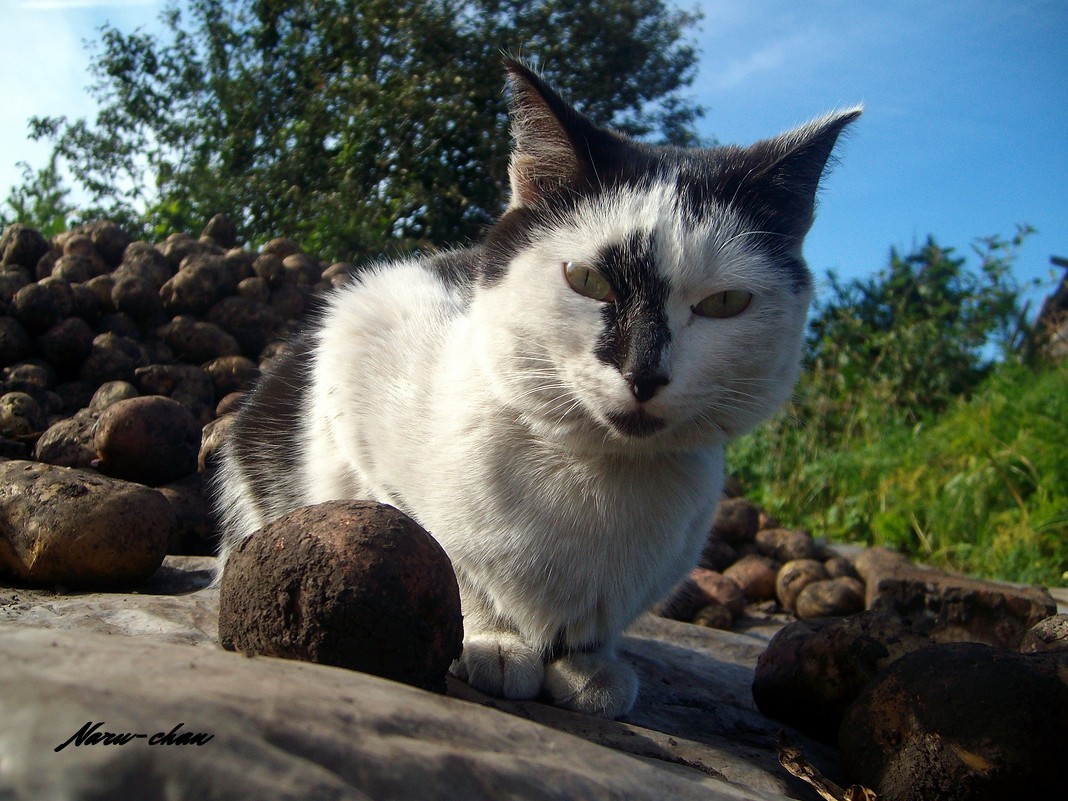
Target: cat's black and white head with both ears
(643, 297)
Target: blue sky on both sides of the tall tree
(965, 132)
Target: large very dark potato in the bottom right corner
(962, 723)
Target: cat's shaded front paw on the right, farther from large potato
(593, 684)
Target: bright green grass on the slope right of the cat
(982, 489)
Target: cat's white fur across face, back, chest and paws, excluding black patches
(484, 417)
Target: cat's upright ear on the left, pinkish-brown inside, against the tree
(554, 143)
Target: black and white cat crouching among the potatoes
(553, 405)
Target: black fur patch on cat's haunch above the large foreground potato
(266, 435)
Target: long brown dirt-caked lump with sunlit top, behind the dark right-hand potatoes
(952, 608)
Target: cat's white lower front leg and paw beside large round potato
(496, 659)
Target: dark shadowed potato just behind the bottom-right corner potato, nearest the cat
(813, 670)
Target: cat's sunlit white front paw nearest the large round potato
(500, 665)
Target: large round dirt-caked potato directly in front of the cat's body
(350, 584)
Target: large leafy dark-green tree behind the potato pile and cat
(354, 128)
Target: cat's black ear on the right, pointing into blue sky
(780, 177)
